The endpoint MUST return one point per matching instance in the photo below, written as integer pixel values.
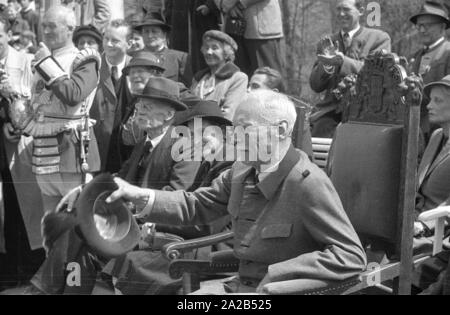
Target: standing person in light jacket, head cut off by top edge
(260, 33)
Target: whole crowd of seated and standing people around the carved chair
(84, 97)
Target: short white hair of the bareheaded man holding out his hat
(273, 107)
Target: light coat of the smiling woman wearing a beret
(230, 87)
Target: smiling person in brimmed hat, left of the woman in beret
(155, 32)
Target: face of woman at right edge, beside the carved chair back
(439, 106)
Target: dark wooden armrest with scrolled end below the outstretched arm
(173, 251)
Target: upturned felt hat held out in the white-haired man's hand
(109, 229)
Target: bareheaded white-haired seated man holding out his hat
(287, 217)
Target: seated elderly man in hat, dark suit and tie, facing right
(151, 165)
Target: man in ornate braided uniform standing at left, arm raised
(60, 108)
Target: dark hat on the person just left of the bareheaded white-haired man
(208, 110)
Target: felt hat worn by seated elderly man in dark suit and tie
(164, 90)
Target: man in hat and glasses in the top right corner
(432, 61)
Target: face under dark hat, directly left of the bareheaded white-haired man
(212, 139)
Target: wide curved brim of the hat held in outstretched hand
(85, 214)
